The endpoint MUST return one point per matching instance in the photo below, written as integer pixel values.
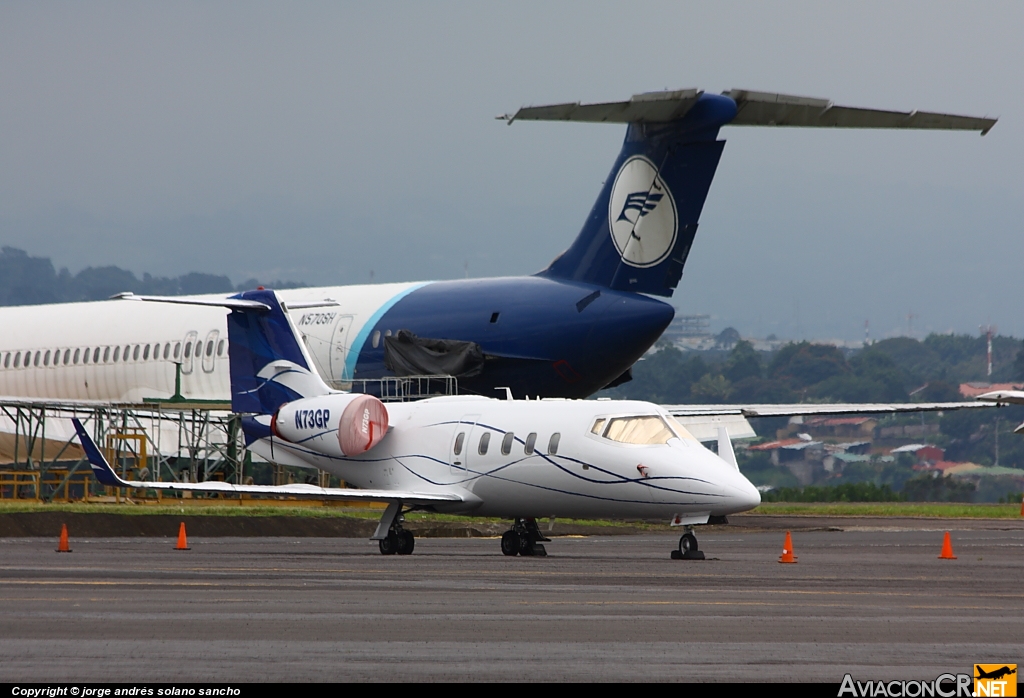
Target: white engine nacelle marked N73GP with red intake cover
(340, 425)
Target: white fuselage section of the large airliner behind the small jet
(124, 352)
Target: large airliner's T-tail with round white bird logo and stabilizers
(641, 231)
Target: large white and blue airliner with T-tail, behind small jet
(568, 331)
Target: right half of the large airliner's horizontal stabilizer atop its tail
(769, 109)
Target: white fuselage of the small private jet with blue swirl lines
(585, 474)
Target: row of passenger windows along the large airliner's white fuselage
(88, 356)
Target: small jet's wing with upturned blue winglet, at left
(103, 471)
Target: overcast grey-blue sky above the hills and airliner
(327, 143)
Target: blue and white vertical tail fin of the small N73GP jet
(270, 366)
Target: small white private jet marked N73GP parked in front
(462, 455)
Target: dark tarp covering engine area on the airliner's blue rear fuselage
(407, 355)
